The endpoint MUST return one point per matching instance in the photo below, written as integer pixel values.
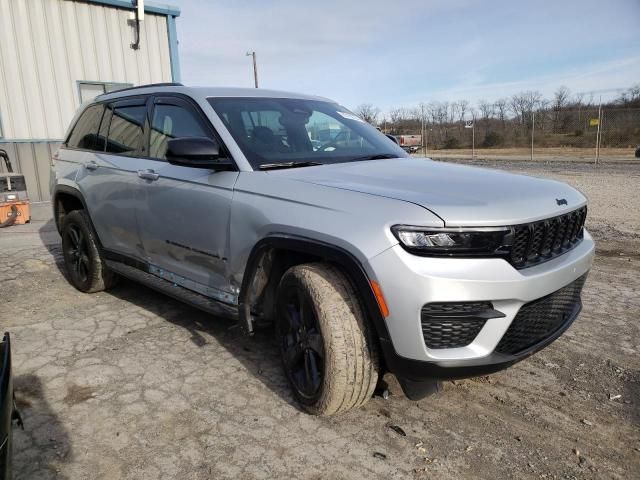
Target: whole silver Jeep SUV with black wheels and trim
(288, 209)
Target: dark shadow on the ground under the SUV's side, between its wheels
(258, 354)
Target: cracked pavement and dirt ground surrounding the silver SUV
(131, 384)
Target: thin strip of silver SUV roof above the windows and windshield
(206, 92)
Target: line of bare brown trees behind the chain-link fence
(565, 119)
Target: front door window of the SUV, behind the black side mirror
(172, 121)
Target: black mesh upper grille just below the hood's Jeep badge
(537, 242)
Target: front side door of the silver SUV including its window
(184, 218)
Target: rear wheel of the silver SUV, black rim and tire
(85, 268)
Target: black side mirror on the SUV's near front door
(197, 152)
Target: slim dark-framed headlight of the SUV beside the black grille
(454, 241)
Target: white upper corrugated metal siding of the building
(47, 46)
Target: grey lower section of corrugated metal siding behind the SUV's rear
(32, 160)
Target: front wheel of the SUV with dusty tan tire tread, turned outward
(329, 318)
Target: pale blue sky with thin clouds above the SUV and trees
(400, 53)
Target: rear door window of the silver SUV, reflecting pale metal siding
(126, 129)
